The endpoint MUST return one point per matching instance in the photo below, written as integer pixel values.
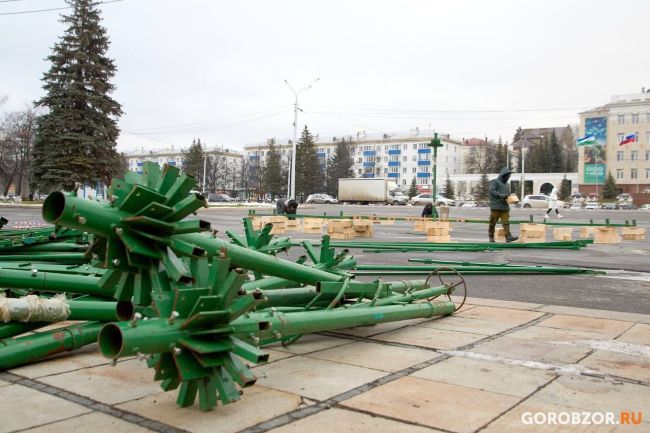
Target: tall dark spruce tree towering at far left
(76, 137)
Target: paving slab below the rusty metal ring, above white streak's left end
(429, 337)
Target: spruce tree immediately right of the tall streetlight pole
(309, 176)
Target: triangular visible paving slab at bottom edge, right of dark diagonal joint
(347, 421)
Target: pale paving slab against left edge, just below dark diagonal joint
(24, 408)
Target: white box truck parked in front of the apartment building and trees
(370, 190)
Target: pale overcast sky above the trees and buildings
(216, 69)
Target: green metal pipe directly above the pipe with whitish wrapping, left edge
(81, 284)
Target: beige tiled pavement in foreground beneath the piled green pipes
(478, 370)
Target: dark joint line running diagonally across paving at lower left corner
(91, 404)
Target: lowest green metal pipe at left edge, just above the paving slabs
(30, 348)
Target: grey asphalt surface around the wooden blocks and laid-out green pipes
(626, 287)
